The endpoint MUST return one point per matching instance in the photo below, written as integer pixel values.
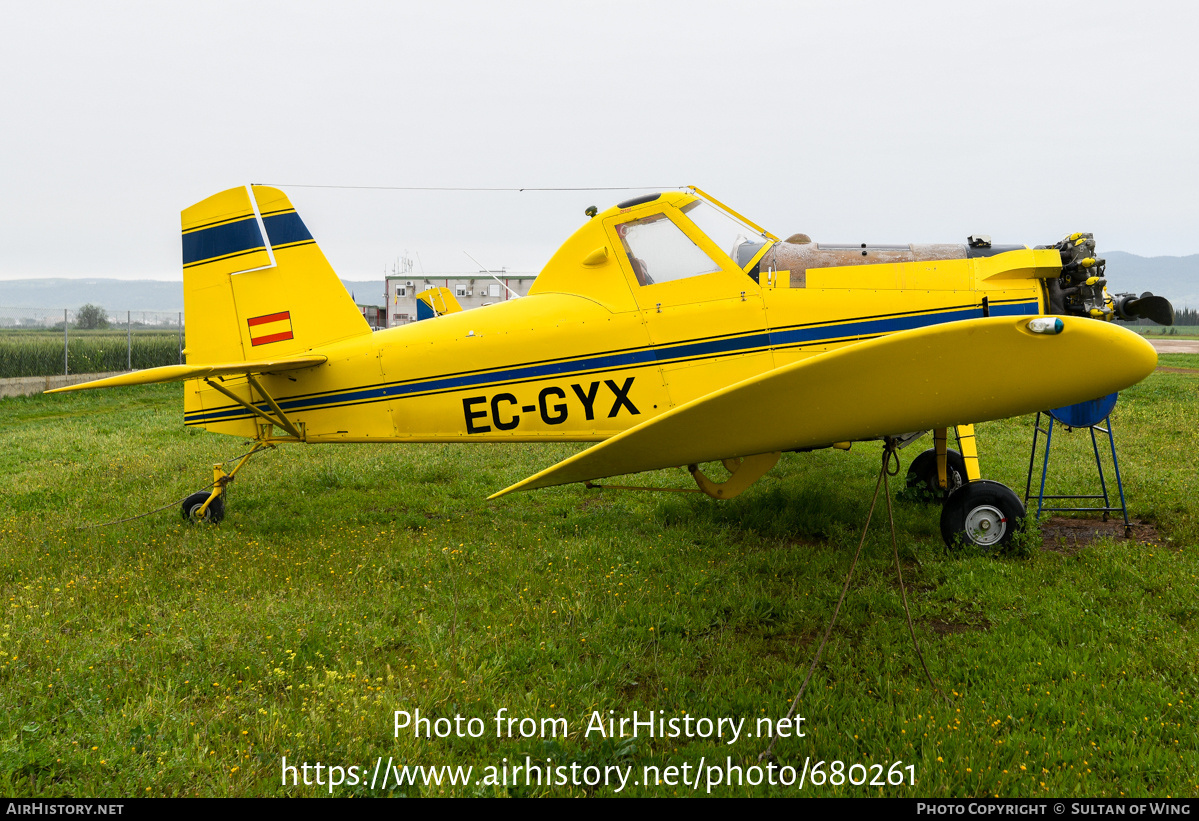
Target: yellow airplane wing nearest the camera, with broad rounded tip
(937, 377)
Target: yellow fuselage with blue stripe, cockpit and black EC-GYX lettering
(599, 346)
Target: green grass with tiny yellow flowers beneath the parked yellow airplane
(154, 659)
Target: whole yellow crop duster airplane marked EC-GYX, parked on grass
(670, 330)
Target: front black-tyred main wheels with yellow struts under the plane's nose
(977, 514)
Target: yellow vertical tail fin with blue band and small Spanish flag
(256, 285)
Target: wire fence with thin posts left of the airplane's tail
(46, 342)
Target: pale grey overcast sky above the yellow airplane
(854, 123)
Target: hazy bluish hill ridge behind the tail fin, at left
(120, 295)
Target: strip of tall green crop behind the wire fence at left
(40, 353)
